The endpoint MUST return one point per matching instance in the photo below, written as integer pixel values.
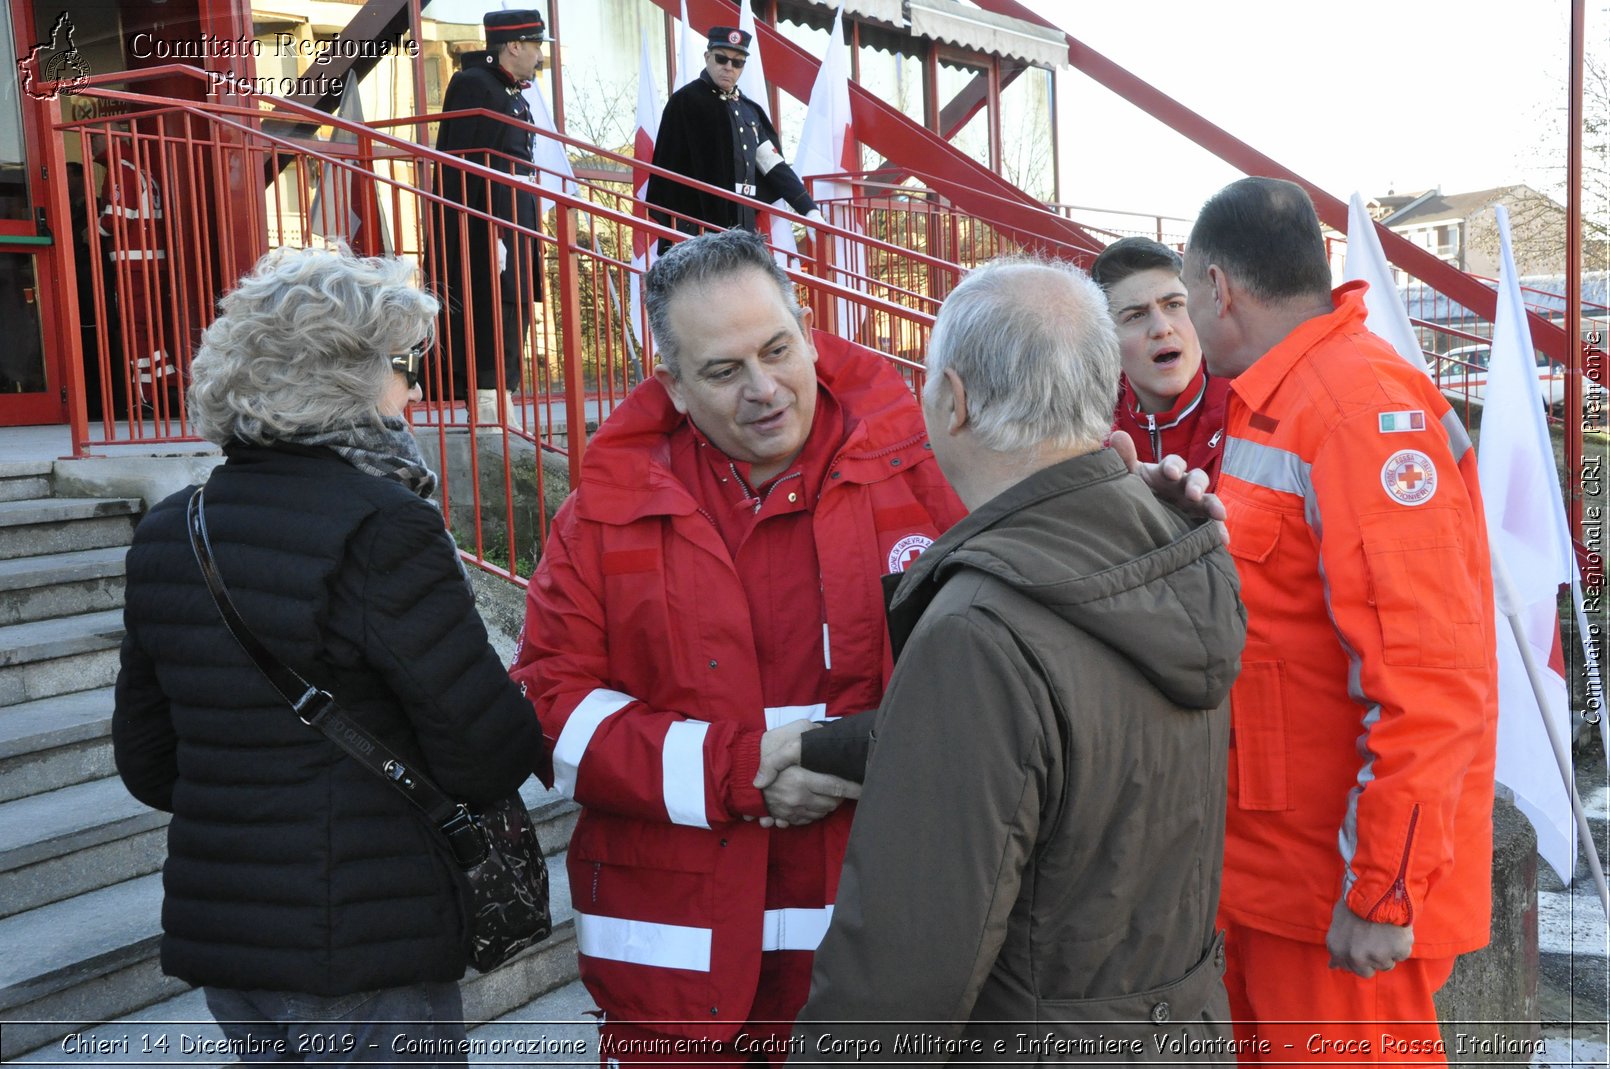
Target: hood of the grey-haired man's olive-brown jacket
(1092, 545)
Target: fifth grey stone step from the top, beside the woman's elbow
(56, 743)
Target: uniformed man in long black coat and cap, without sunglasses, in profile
(493, 273)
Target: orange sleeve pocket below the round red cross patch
(1427, 613)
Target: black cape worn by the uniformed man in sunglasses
(714, 141)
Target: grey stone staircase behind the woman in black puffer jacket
(80, 859)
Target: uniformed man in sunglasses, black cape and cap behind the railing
(716, 134)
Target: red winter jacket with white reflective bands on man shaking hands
(640, 658)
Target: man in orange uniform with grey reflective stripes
(1360, 836)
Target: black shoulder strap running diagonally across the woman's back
(318, 709)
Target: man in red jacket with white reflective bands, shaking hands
(716, 577)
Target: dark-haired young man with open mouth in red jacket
(1168, 400)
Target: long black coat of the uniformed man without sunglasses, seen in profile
(484, 85)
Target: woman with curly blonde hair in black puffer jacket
(315, 906)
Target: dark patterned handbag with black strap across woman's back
(497, 849)
